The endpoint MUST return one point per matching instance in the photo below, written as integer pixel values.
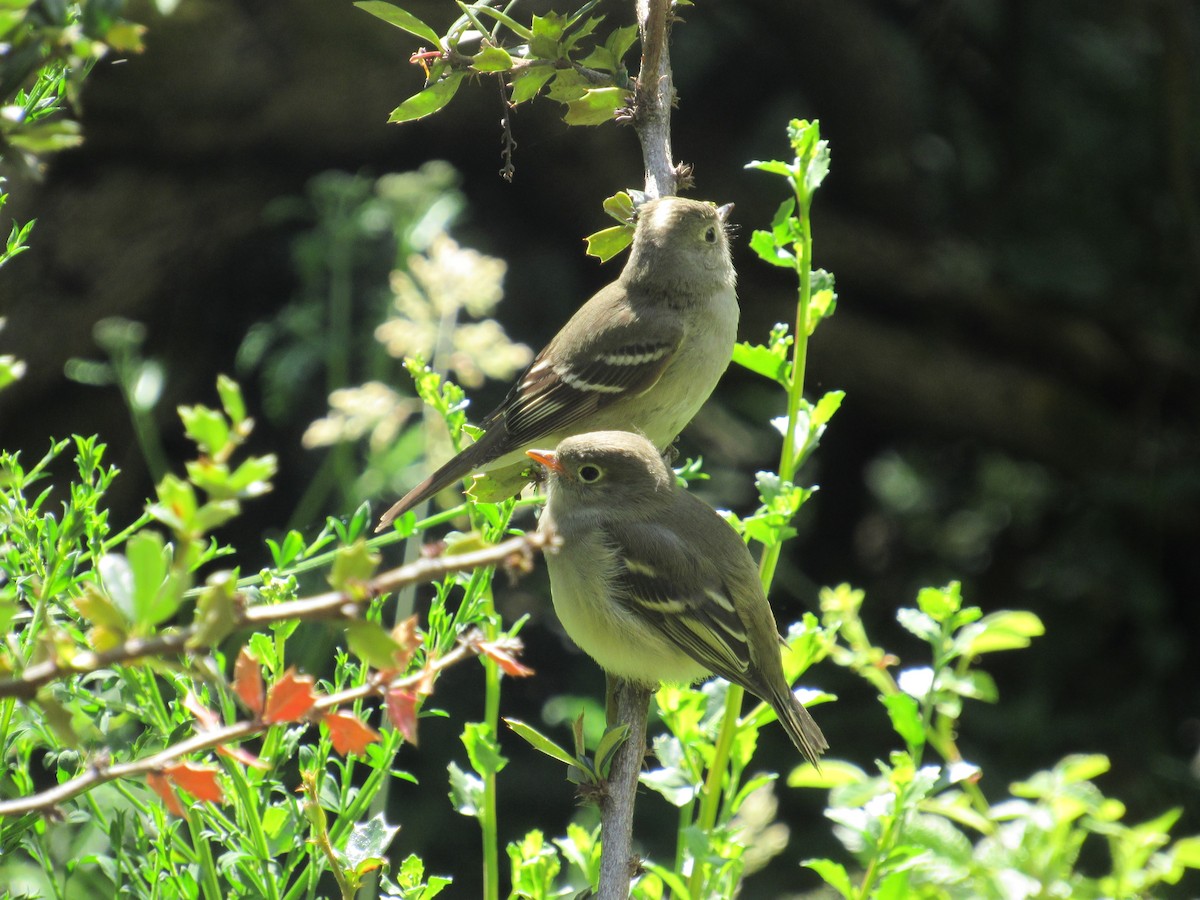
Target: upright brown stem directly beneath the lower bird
(629, 704)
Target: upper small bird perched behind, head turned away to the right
(644, 353)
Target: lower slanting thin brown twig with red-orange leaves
(101, 773)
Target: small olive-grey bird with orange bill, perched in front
(652, 584)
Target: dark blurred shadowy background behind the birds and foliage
(1013, 221)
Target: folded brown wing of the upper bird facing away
(581, 371)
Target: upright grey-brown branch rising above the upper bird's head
(655, 97)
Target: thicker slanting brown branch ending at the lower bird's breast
(514, 554)
